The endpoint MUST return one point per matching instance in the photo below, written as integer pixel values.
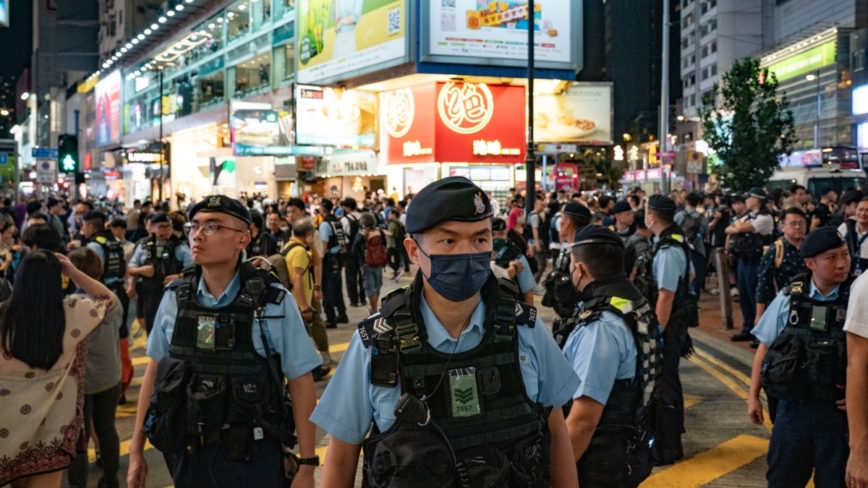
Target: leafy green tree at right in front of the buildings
(748, 124)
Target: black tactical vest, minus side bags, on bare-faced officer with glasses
(234, 396)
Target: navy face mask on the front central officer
(457, 277)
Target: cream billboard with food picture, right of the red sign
(581, 113)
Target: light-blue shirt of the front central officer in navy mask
(350, 401)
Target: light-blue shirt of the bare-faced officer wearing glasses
(286, 336)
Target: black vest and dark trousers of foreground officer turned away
(619, 454)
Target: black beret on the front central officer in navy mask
(453, 198)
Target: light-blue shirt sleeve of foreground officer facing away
(601, 352)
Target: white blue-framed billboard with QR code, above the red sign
(482, 28)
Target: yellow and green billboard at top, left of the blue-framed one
(342, 36)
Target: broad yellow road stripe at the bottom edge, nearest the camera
(707, 466)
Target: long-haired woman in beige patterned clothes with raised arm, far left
(43, 367)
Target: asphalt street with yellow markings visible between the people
(721, 447)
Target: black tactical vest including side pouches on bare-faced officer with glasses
(214, 388)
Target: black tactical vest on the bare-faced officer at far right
(808, 360)
